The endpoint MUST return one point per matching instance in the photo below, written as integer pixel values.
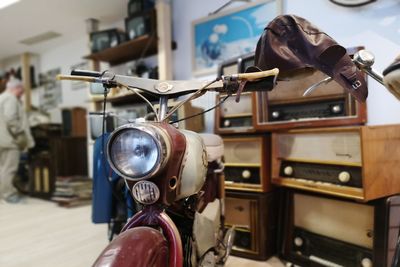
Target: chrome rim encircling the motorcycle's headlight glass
(159, 137)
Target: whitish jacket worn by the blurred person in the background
(13, 122)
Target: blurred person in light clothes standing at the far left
(15, 136)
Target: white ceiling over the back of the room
(29, 18)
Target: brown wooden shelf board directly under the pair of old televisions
(128, 51)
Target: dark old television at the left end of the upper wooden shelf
(101, 40)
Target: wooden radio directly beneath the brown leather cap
(329, 104)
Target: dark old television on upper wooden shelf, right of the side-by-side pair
(140, 24)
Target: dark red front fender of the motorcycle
(136, 247)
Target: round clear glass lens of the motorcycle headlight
(134, 153)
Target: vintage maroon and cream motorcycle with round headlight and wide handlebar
(176, 175)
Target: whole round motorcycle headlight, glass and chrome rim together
(137, 152)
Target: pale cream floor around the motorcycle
(39, 233)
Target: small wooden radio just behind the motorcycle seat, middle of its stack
(247, 163)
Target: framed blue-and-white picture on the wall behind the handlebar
(229, 33)
